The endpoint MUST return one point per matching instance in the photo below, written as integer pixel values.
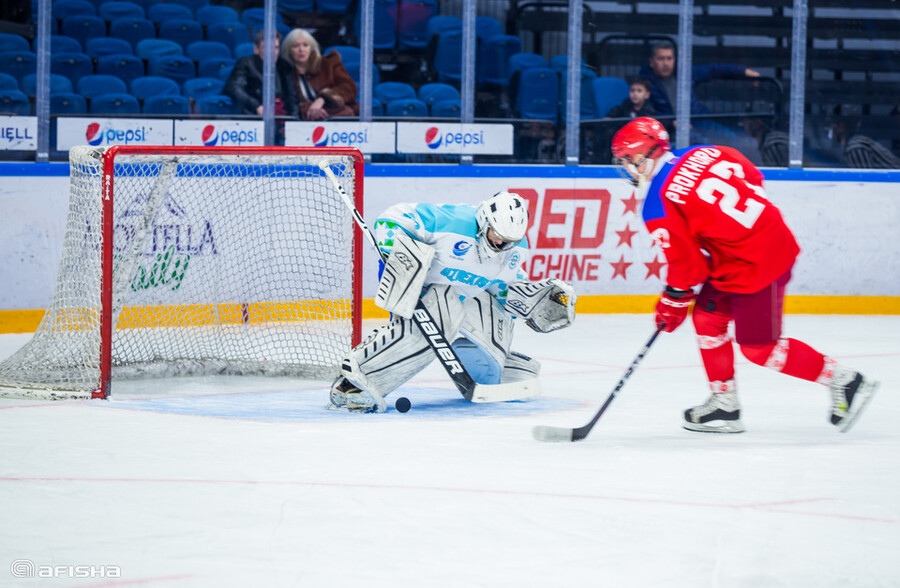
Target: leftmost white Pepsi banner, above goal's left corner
(103, 132)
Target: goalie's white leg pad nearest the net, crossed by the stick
(395, 352)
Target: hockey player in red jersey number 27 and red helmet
(706, 208)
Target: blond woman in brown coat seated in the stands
(321, 83)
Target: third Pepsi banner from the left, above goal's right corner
(367, 137)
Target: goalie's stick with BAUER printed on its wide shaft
(469, 388)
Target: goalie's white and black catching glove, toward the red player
(546, 306)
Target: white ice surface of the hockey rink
(251, 482)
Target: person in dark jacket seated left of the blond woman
(245, 84)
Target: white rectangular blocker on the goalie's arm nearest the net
(404, 275)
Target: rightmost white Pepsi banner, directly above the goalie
(455, 138)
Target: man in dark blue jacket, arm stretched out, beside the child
(660, 70)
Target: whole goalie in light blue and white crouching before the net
(465, 264)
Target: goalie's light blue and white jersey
(451, 229)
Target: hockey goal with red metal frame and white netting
(191, 261)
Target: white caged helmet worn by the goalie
(506, 215)
